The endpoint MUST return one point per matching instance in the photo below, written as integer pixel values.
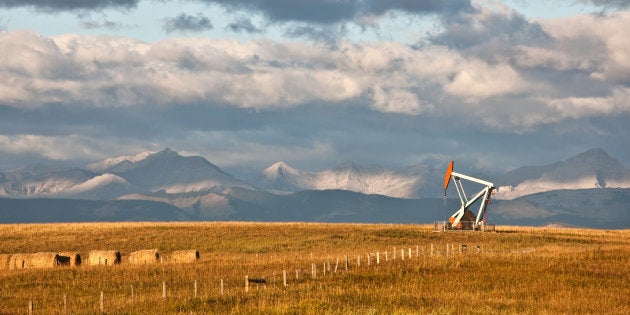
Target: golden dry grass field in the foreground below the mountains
(514, 270)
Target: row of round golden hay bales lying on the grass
(95, 258)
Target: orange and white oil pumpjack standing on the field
(464, 218)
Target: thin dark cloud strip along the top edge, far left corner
(68, 5)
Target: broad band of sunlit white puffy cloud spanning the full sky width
(545, 73)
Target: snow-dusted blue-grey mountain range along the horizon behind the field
(589, 189)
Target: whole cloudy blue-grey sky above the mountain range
(493, 85)
